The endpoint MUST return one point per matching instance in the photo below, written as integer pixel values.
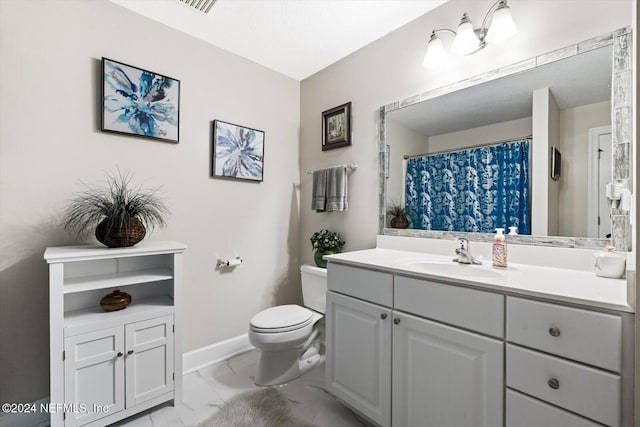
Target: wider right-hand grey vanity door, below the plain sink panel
(444, 376)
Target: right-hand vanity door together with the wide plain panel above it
(444, 375)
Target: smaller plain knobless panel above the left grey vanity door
(364, 284)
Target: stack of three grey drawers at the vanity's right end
(567, 357)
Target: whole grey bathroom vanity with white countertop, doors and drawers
(414, 339)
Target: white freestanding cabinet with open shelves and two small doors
(106, 366)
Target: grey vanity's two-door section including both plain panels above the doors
(404, 359)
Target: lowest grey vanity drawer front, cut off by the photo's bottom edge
(525, 411)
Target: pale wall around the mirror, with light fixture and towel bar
(391, 69)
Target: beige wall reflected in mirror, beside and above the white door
(574, 134)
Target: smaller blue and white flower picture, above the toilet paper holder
(238, 151)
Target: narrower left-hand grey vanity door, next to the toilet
(358, 364)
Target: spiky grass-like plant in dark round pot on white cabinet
(119, 213)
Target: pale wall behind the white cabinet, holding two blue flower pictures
(50, 139)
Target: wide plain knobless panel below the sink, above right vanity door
(455, 305)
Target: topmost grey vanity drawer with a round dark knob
(585, 336)
